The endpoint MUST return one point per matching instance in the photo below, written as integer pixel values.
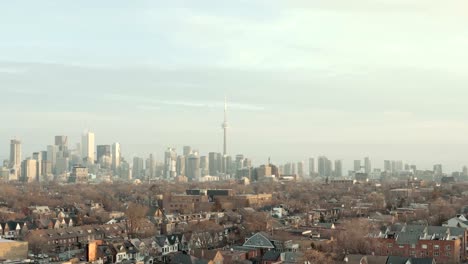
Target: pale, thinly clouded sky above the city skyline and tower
(346, 79)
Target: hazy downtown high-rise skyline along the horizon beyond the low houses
(87, 161)
